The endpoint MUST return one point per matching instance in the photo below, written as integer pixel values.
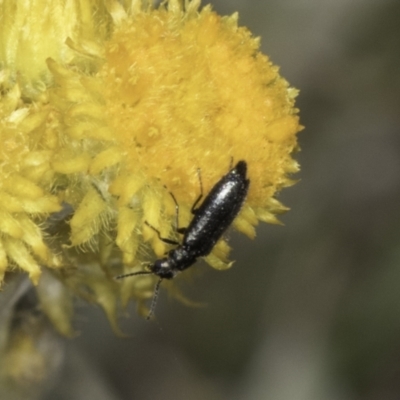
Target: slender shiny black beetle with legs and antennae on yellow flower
(210, 221)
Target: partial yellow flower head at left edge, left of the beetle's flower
(25, 179)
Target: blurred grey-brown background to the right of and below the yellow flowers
(310, 310)
